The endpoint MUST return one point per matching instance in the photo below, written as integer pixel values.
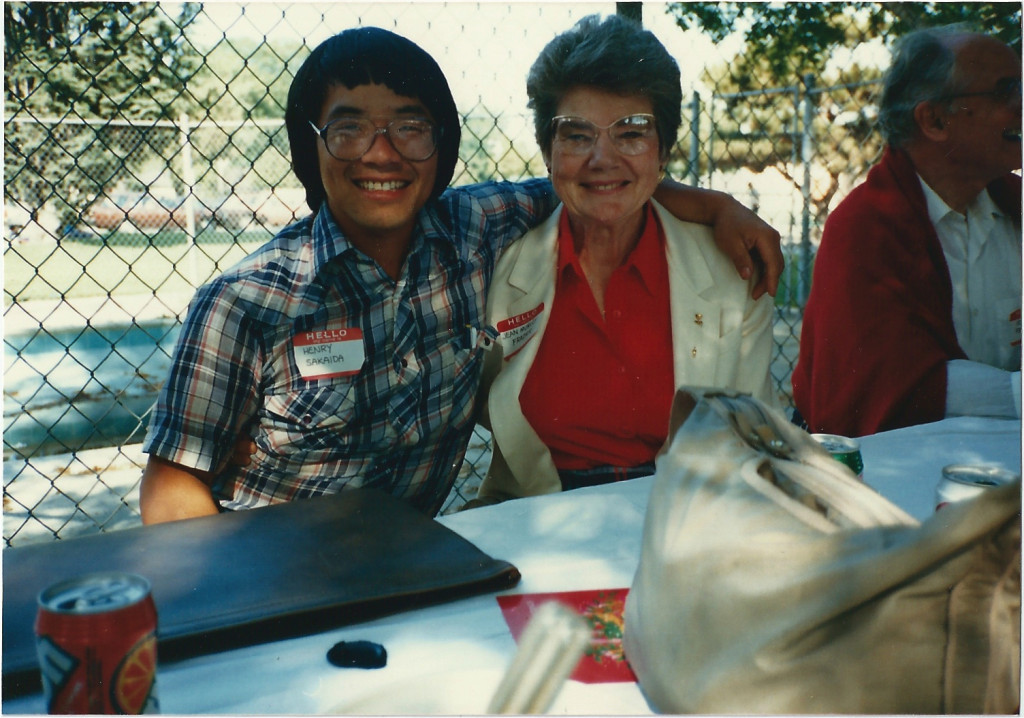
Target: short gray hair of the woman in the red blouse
(617, 56)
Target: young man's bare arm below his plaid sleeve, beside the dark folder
(172, 492)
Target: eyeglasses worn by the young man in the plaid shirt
(350, 139)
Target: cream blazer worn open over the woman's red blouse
(720, 337)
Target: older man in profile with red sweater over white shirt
(915, 313)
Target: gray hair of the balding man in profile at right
(923, 70)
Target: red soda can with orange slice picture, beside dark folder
(97, 641)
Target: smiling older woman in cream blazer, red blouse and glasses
(600, 314)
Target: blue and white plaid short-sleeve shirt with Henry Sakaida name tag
(345, 377)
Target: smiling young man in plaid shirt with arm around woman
(350, 347)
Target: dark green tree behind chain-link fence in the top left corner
(88, 62)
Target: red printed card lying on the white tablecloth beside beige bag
(603, 609)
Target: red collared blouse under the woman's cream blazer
(600, 391)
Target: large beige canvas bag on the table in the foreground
(772, 580)
